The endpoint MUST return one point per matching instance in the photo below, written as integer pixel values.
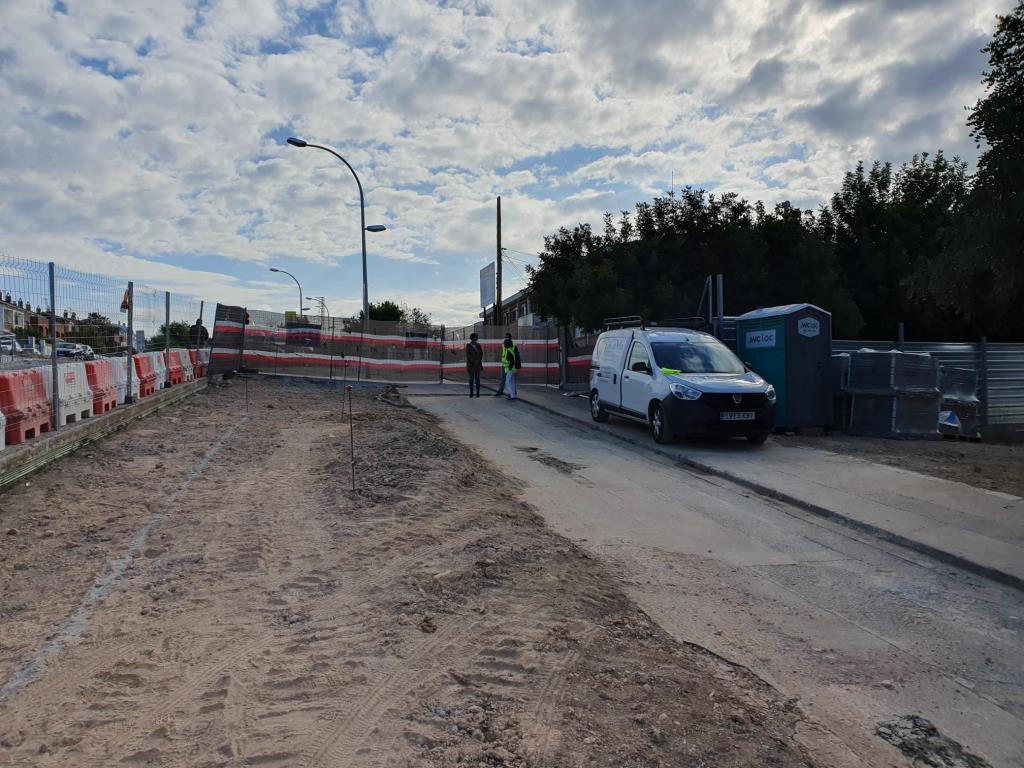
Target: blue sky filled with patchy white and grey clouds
(146, 140)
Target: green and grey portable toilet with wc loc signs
(791, 348)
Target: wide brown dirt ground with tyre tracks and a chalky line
(204, 589)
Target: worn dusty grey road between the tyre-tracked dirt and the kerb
(860, 632)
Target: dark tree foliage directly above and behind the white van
(655, 263)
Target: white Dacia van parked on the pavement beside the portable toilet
(680, 382)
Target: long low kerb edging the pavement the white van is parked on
(950, 559)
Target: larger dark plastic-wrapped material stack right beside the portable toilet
(895, 395)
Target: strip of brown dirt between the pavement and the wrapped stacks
(988, 466)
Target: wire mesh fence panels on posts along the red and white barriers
(66, 344)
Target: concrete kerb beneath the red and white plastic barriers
(18, 462)
